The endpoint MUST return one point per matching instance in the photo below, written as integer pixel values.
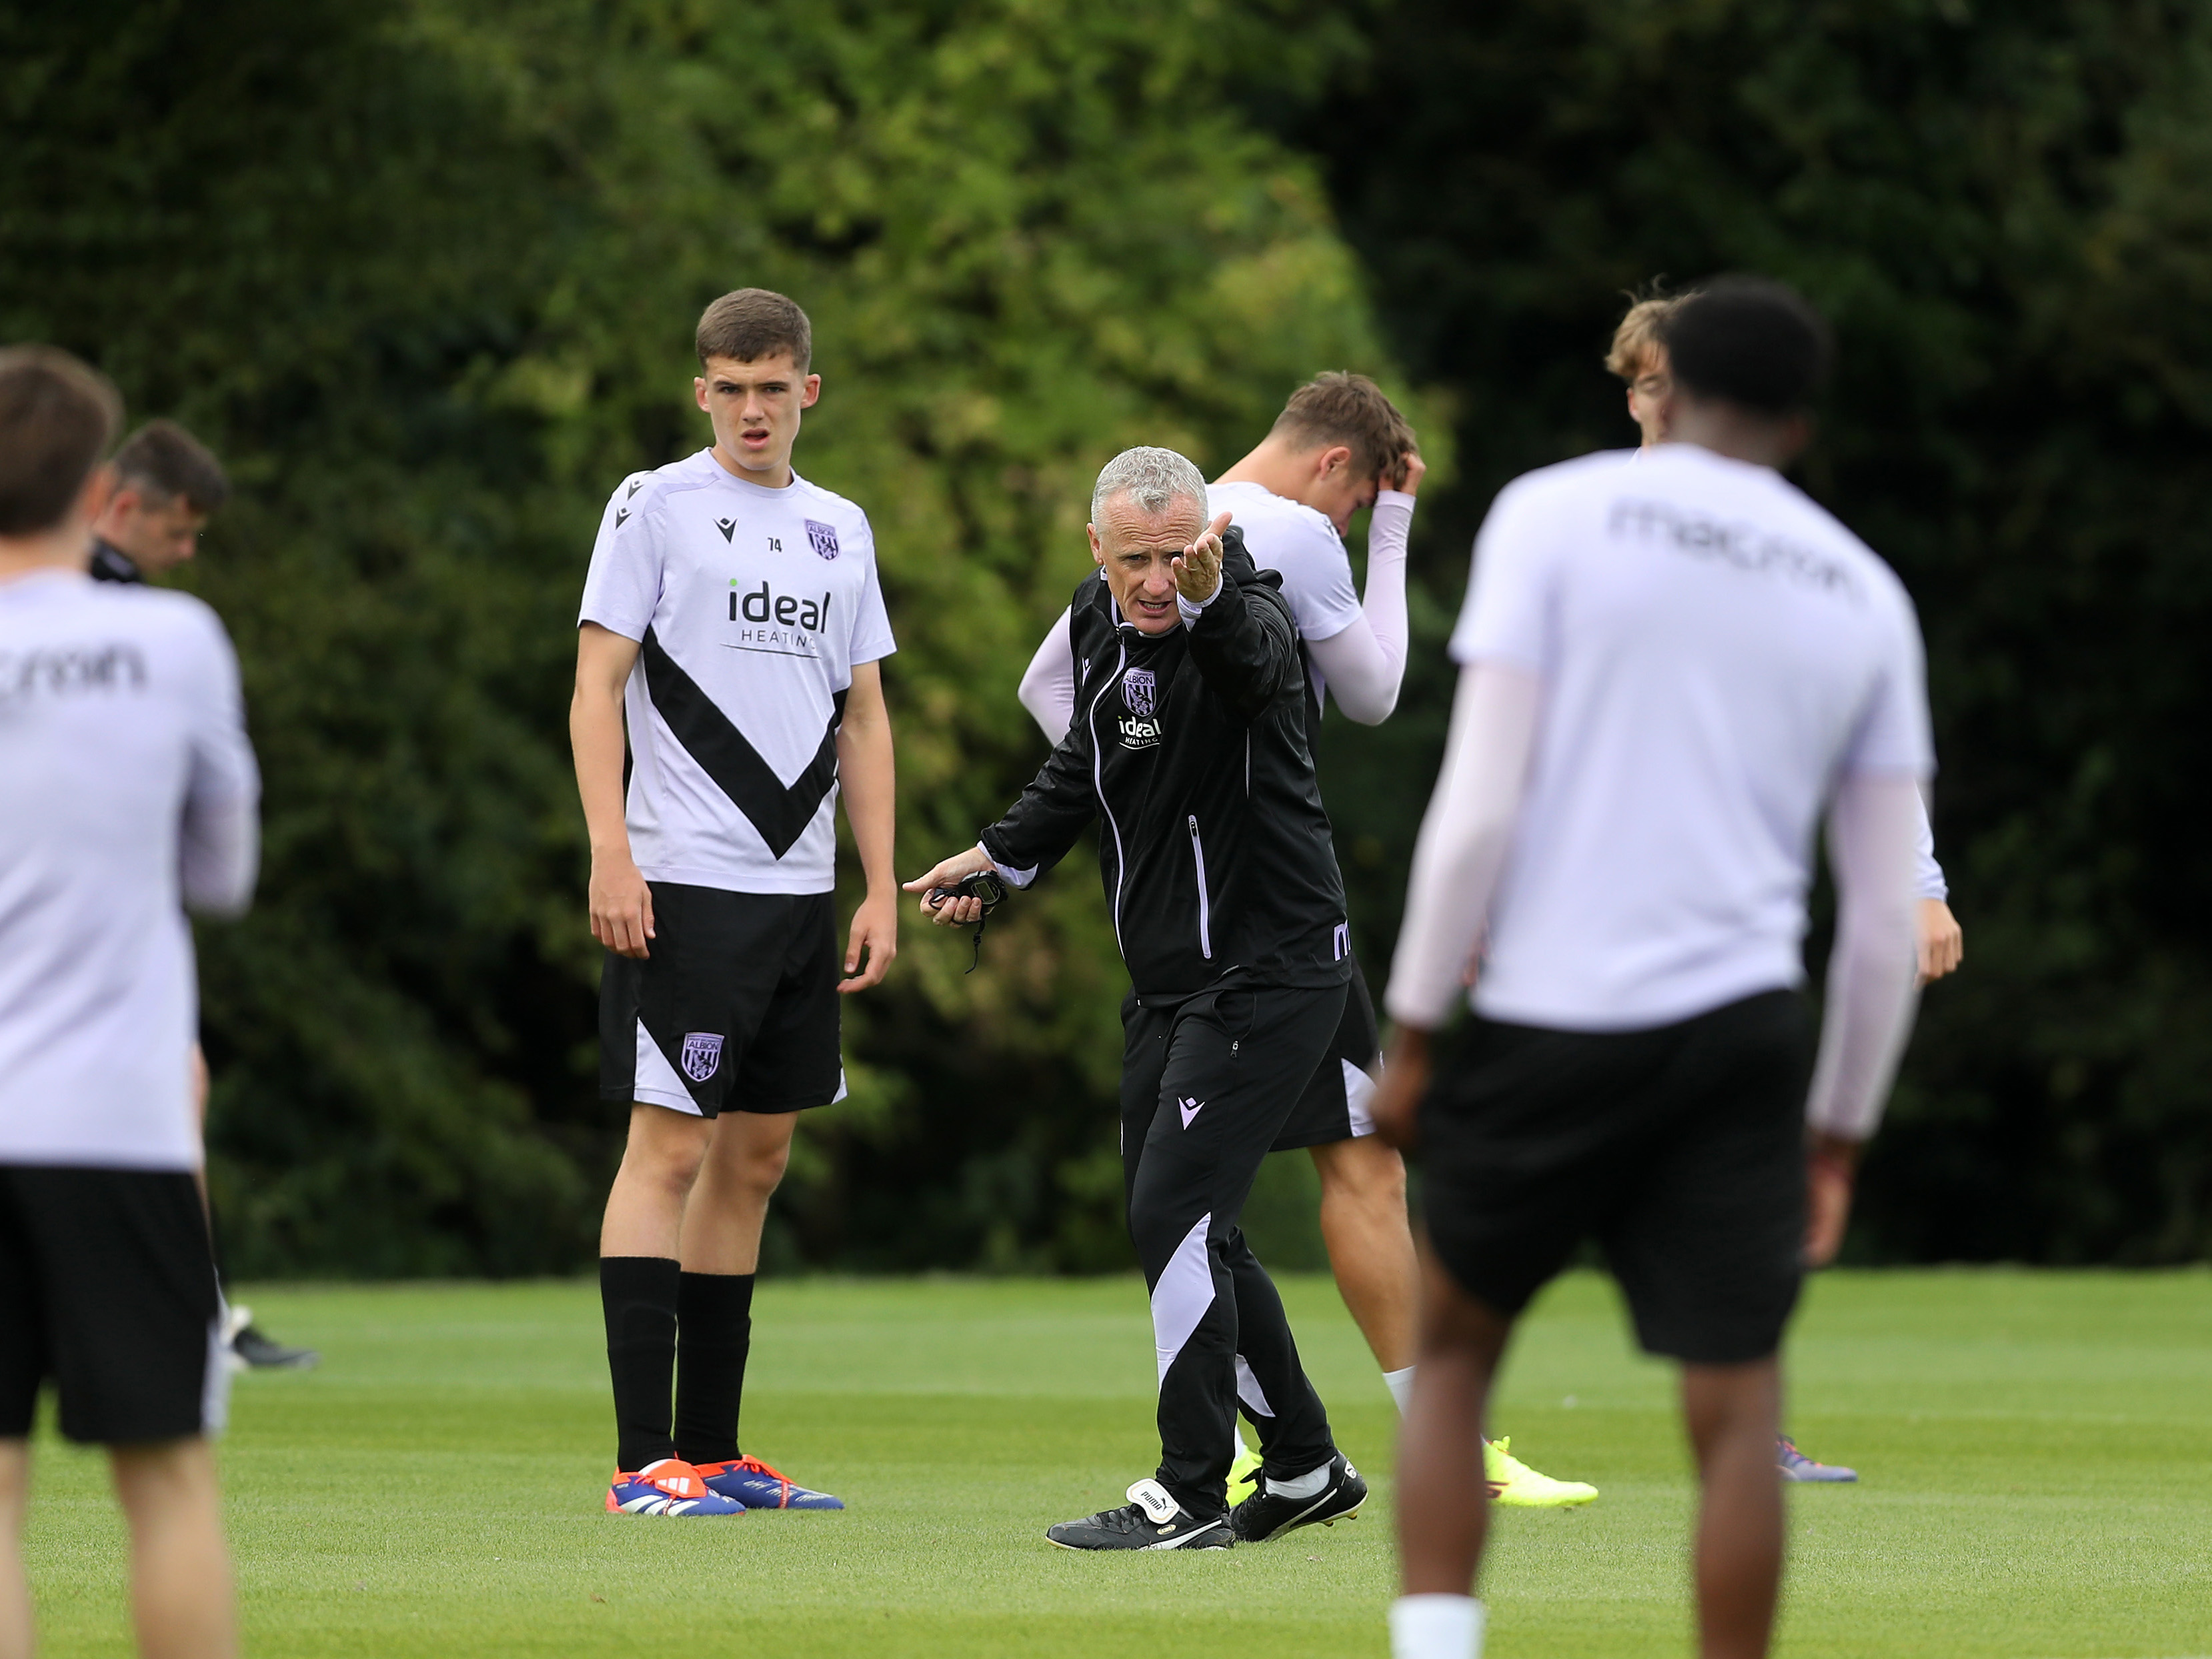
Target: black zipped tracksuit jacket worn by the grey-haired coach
(1193, 751)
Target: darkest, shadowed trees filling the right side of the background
(2005, 213)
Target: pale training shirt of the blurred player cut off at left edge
(127, 793)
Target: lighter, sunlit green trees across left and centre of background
(428, 275)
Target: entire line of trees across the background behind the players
(426, 275)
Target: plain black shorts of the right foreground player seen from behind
(1680, 1149)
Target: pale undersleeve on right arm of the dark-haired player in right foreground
(1872, 970)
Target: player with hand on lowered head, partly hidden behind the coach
(1337, 448)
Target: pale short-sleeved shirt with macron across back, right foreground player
(1713, 654)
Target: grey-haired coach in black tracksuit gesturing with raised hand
(1191, 751)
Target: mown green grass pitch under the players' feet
(2036, 1457)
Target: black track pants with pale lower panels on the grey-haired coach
(1207, 1087)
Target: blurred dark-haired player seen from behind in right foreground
(1671, 671)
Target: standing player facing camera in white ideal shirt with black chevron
(733, 627)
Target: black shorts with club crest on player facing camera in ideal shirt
(735, 1010)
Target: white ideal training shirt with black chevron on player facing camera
(753, 607)
